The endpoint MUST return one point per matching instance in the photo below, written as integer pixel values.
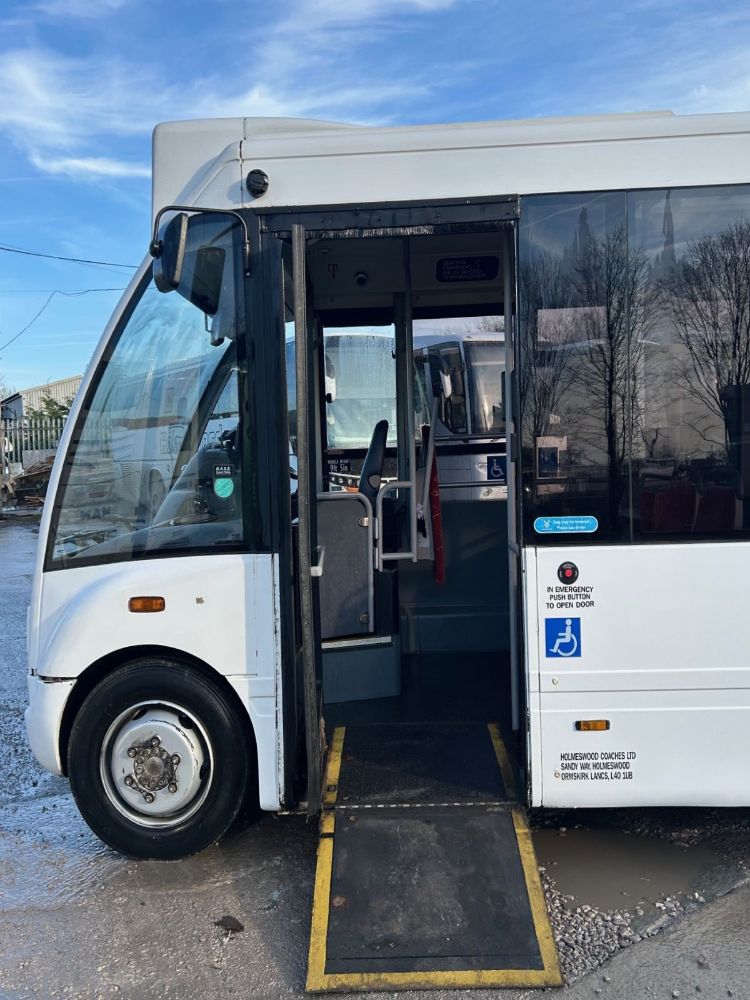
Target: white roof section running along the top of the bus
(313, 163)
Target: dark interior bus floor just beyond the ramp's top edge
(438, 687)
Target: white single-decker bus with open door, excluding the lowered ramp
(593, 616)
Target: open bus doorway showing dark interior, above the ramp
(407, 385)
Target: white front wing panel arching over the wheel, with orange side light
(221, 609)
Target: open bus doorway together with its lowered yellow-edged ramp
(407, 337)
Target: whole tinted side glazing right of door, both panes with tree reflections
(635, 366)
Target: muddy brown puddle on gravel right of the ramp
(613, 870)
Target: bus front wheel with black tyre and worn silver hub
(158, 760)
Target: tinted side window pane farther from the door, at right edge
(691, 467)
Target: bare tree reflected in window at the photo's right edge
(708, 294)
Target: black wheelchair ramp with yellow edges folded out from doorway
(426, 873)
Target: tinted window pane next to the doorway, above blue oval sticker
(576, 278)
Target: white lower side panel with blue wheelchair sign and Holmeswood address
(661, 658)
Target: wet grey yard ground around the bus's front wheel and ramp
(78, 920)
